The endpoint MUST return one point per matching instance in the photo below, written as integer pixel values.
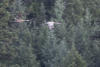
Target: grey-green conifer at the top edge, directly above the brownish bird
(18, 9)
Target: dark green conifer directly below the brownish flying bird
(25, 55)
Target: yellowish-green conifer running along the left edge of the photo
(6, 36)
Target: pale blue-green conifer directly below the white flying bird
(53, 54)
